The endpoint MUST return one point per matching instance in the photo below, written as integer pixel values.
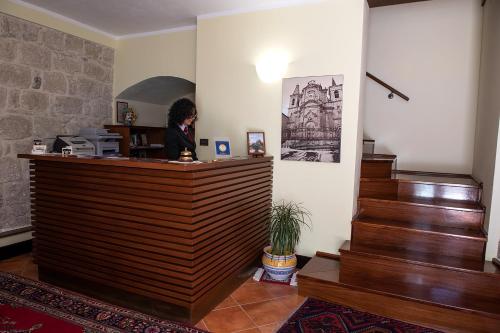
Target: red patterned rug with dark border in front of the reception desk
(32, 306)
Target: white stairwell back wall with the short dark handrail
(430, 51)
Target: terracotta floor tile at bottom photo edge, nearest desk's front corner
(228, 320)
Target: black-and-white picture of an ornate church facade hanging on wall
(311, 118)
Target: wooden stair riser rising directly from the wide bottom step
(395, 277)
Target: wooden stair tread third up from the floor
(423, 227)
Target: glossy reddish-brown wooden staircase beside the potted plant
(416, 252)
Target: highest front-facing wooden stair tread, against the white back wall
(435, 178)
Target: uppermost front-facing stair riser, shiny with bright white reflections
(408, 189)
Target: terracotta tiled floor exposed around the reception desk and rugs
(252, 308)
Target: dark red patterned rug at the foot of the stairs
(320, 316)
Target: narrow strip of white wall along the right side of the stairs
(487, 149)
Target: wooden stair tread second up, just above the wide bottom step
(421, 258)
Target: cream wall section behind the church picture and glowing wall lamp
(322, 38)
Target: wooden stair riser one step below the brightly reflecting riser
(421, 214)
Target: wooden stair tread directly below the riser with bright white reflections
(428, 202)
